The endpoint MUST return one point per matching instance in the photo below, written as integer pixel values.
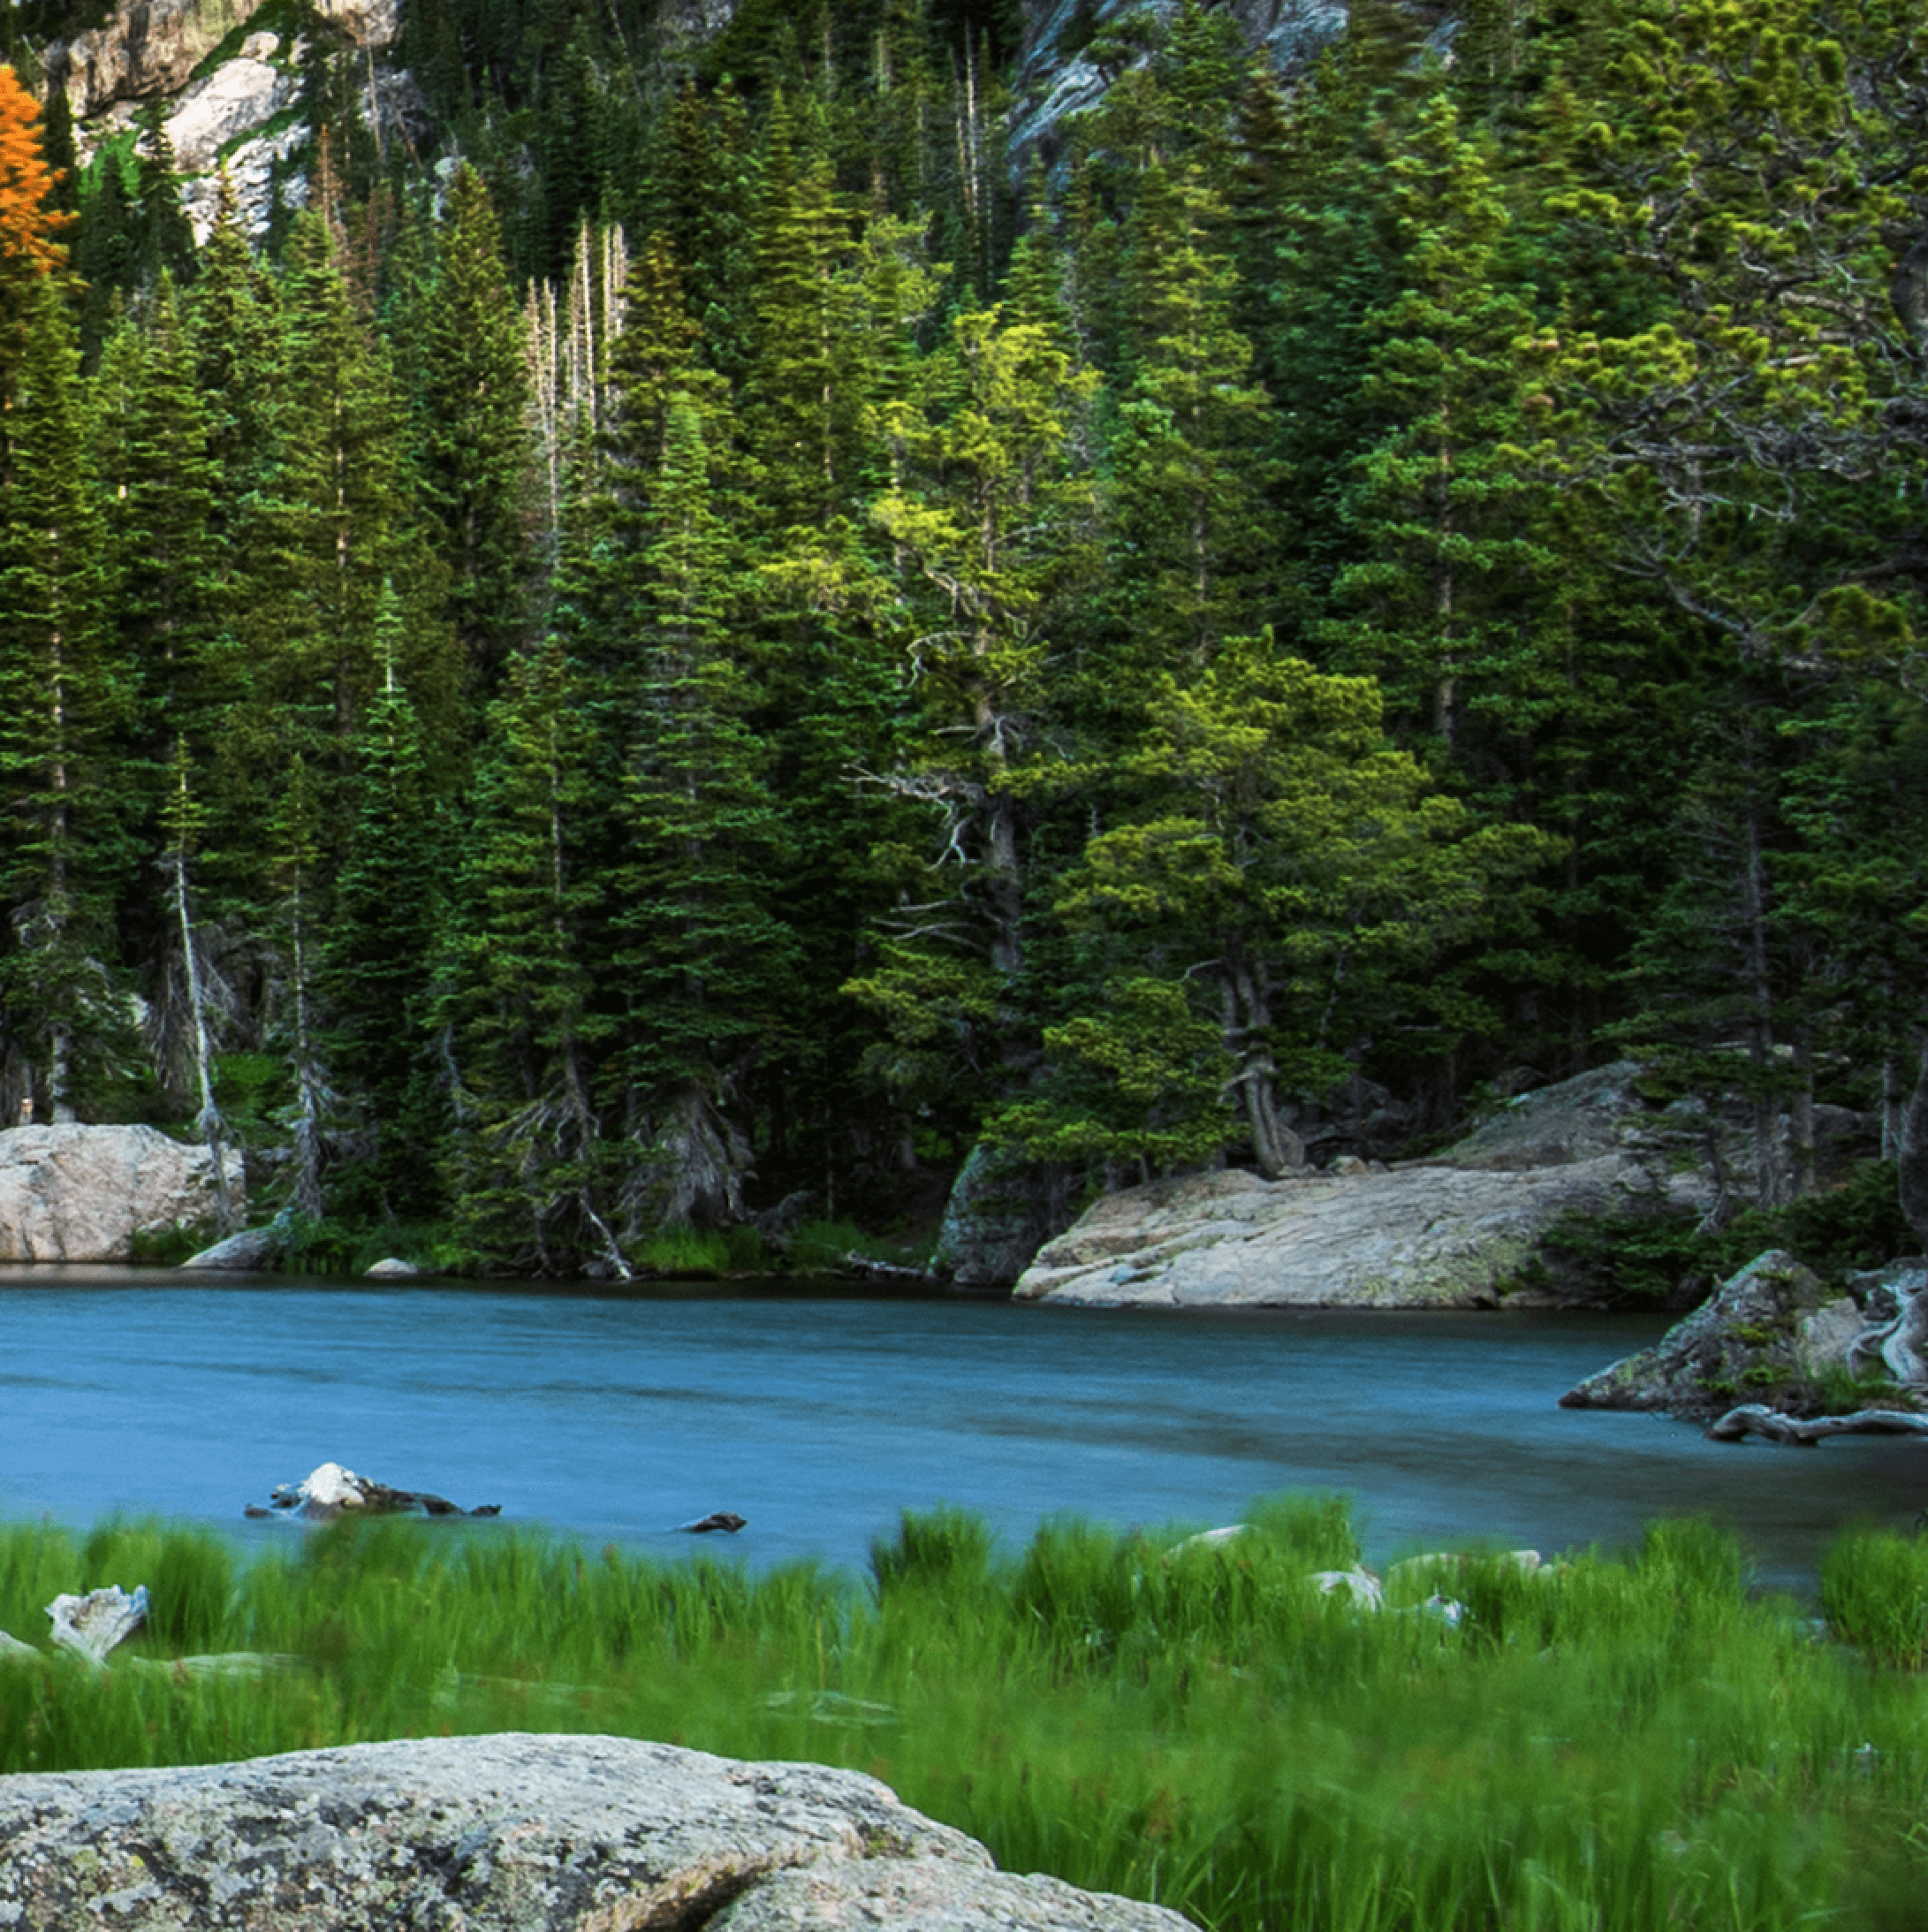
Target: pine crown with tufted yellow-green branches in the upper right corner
(1738, 445)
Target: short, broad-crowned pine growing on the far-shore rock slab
(1290, 874)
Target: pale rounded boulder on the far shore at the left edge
(84, 1193)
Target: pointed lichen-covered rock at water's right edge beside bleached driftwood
(1759, 1334)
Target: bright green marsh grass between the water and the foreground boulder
(1612, 1744)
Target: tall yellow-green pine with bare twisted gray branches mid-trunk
(994, 519)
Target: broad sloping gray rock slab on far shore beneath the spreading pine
(1419, 1237)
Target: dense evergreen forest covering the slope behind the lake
(704, 631)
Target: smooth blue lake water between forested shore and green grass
(611, 1417)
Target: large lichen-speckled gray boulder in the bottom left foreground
(505, 1834)
